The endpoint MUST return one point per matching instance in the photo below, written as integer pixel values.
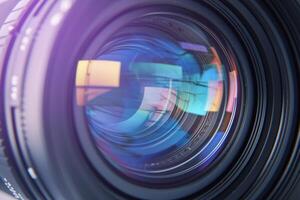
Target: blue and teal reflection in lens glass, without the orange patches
(158, 77)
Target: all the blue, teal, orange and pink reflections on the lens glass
(144, 101)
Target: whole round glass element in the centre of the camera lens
(158, 99)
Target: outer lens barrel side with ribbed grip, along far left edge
(11, 16)
